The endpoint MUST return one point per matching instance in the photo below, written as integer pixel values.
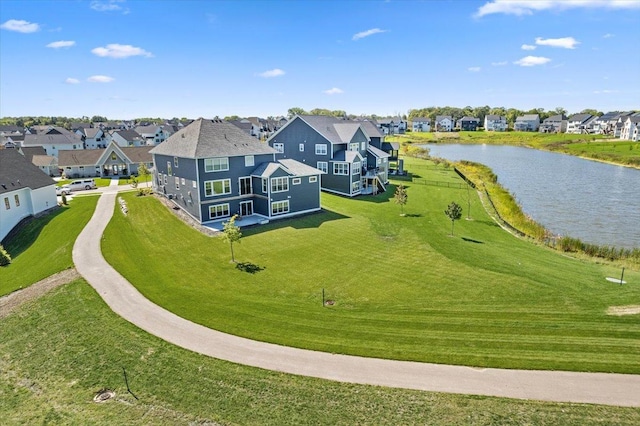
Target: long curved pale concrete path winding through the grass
(126, 301)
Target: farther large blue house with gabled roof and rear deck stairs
(341, 149)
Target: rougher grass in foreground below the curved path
(58, 351)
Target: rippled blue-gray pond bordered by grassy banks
(596, 202)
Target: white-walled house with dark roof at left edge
(24, 190)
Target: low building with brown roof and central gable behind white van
(110, 161)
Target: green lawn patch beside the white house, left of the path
(43, 247)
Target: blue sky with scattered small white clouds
(126, 59)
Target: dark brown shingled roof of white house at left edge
(17, 172)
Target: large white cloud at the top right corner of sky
(529, 7)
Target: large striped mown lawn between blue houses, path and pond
(403, 288)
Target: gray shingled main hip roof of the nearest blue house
(211, 138)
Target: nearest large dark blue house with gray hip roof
(213, 170)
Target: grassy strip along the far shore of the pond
(588, 146)
